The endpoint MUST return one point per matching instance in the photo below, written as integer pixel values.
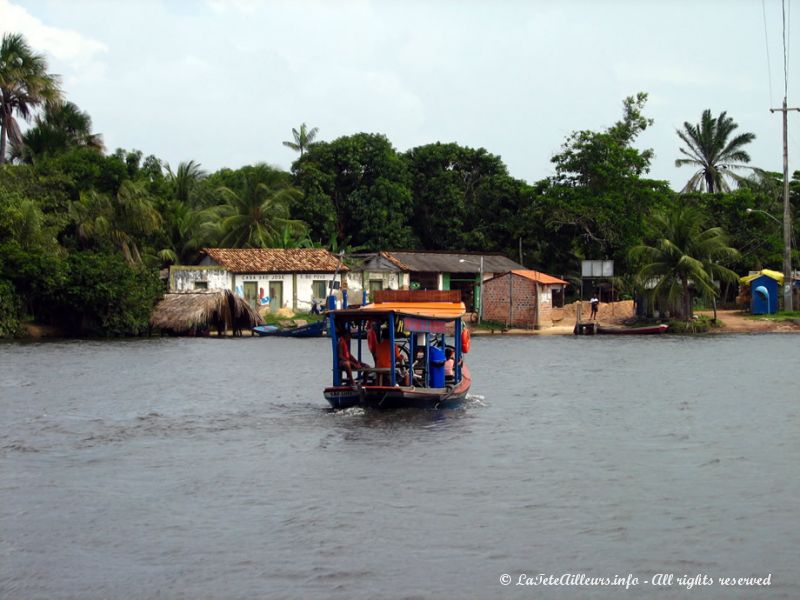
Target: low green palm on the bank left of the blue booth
(683, 253)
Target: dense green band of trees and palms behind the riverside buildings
(84, 231)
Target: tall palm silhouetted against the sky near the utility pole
(710, 149)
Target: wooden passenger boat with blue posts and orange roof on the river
(409, 336)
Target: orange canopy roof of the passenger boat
(436, 305)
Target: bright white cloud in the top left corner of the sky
(66, 46)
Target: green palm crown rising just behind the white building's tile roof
(256, 216)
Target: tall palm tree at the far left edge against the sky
(24, 85)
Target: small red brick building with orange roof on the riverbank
(523, 298)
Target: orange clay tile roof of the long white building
(275, 260)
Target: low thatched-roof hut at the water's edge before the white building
(196, 312)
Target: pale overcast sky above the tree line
(223, 82)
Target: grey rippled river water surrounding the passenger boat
(207, 468)
